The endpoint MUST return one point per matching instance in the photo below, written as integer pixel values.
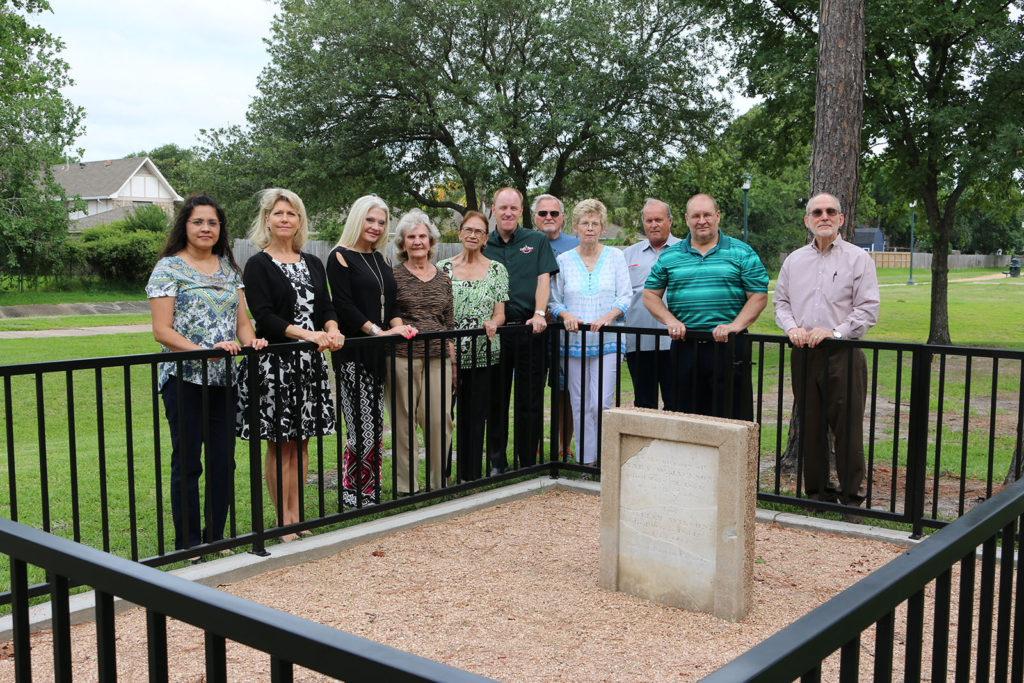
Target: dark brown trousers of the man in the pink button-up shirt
(830, 387)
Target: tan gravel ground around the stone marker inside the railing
(510, 592)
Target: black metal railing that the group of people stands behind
(87, 444)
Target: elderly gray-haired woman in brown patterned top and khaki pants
(425, 303)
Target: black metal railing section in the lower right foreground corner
(941, 579)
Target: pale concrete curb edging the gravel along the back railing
(235, 569)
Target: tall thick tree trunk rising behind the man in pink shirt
(839, 107)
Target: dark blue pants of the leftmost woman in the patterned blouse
(187, 461)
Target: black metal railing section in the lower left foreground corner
(286, 639)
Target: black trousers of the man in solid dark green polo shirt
(524, 360)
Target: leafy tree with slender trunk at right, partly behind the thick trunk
(945, 92)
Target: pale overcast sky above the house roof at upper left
(152, 73)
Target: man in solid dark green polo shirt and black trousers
(528, 258)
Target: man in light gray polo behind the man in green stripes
(651, 365)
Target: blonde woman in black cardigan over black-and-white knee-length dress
(288, 296)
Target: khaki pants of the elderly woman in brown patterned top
(433, 413)
